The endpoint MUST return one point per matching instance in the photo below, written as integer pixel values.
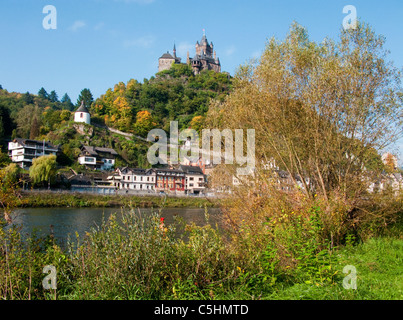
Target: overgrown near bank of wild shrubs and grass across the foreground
(140, 260)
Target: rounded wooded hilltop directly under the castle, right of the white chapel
(174, 94)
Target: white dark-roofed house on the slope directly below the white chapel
(96, 158)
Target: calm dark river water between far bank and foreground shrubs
(67, 221)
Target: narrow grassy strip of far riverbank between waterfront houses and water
(81, 200)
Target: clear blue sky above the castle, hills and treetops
(99, 43)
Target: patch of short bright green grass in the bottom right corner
(379, 265)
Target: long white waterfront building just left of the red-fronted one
(134, 179)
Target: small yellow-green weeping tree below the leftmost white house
(43, 170)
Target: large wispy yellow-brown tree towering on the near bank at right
(322, 111)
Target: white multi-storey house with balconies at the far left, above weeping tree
(23, 151)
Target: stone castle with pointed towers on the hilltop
(205, 58)
